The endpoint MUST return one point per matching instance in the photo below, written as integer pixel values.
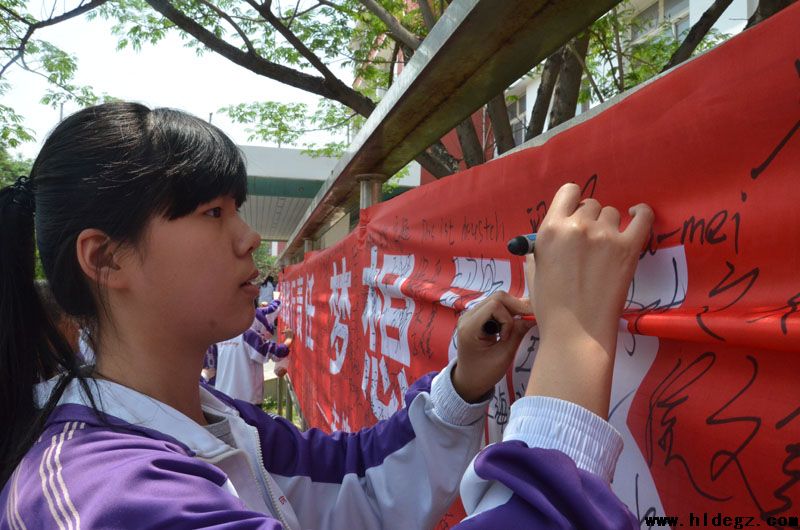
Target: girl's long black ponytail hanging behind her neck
(31, 348)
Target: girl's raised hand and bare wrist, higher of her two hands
(578, 281)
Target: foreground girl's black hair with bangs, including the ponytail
(112, 167)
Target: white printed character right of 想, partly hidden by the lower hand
(474, 276)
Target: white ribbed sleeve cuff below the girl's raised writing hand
(551, 423)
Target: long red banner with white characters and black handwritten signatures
(706, 380)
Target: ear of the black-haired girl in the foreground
(96, 256)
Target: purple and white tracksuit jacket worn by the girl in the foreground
(149, 466)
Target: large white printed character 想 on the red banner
(389, 312)
